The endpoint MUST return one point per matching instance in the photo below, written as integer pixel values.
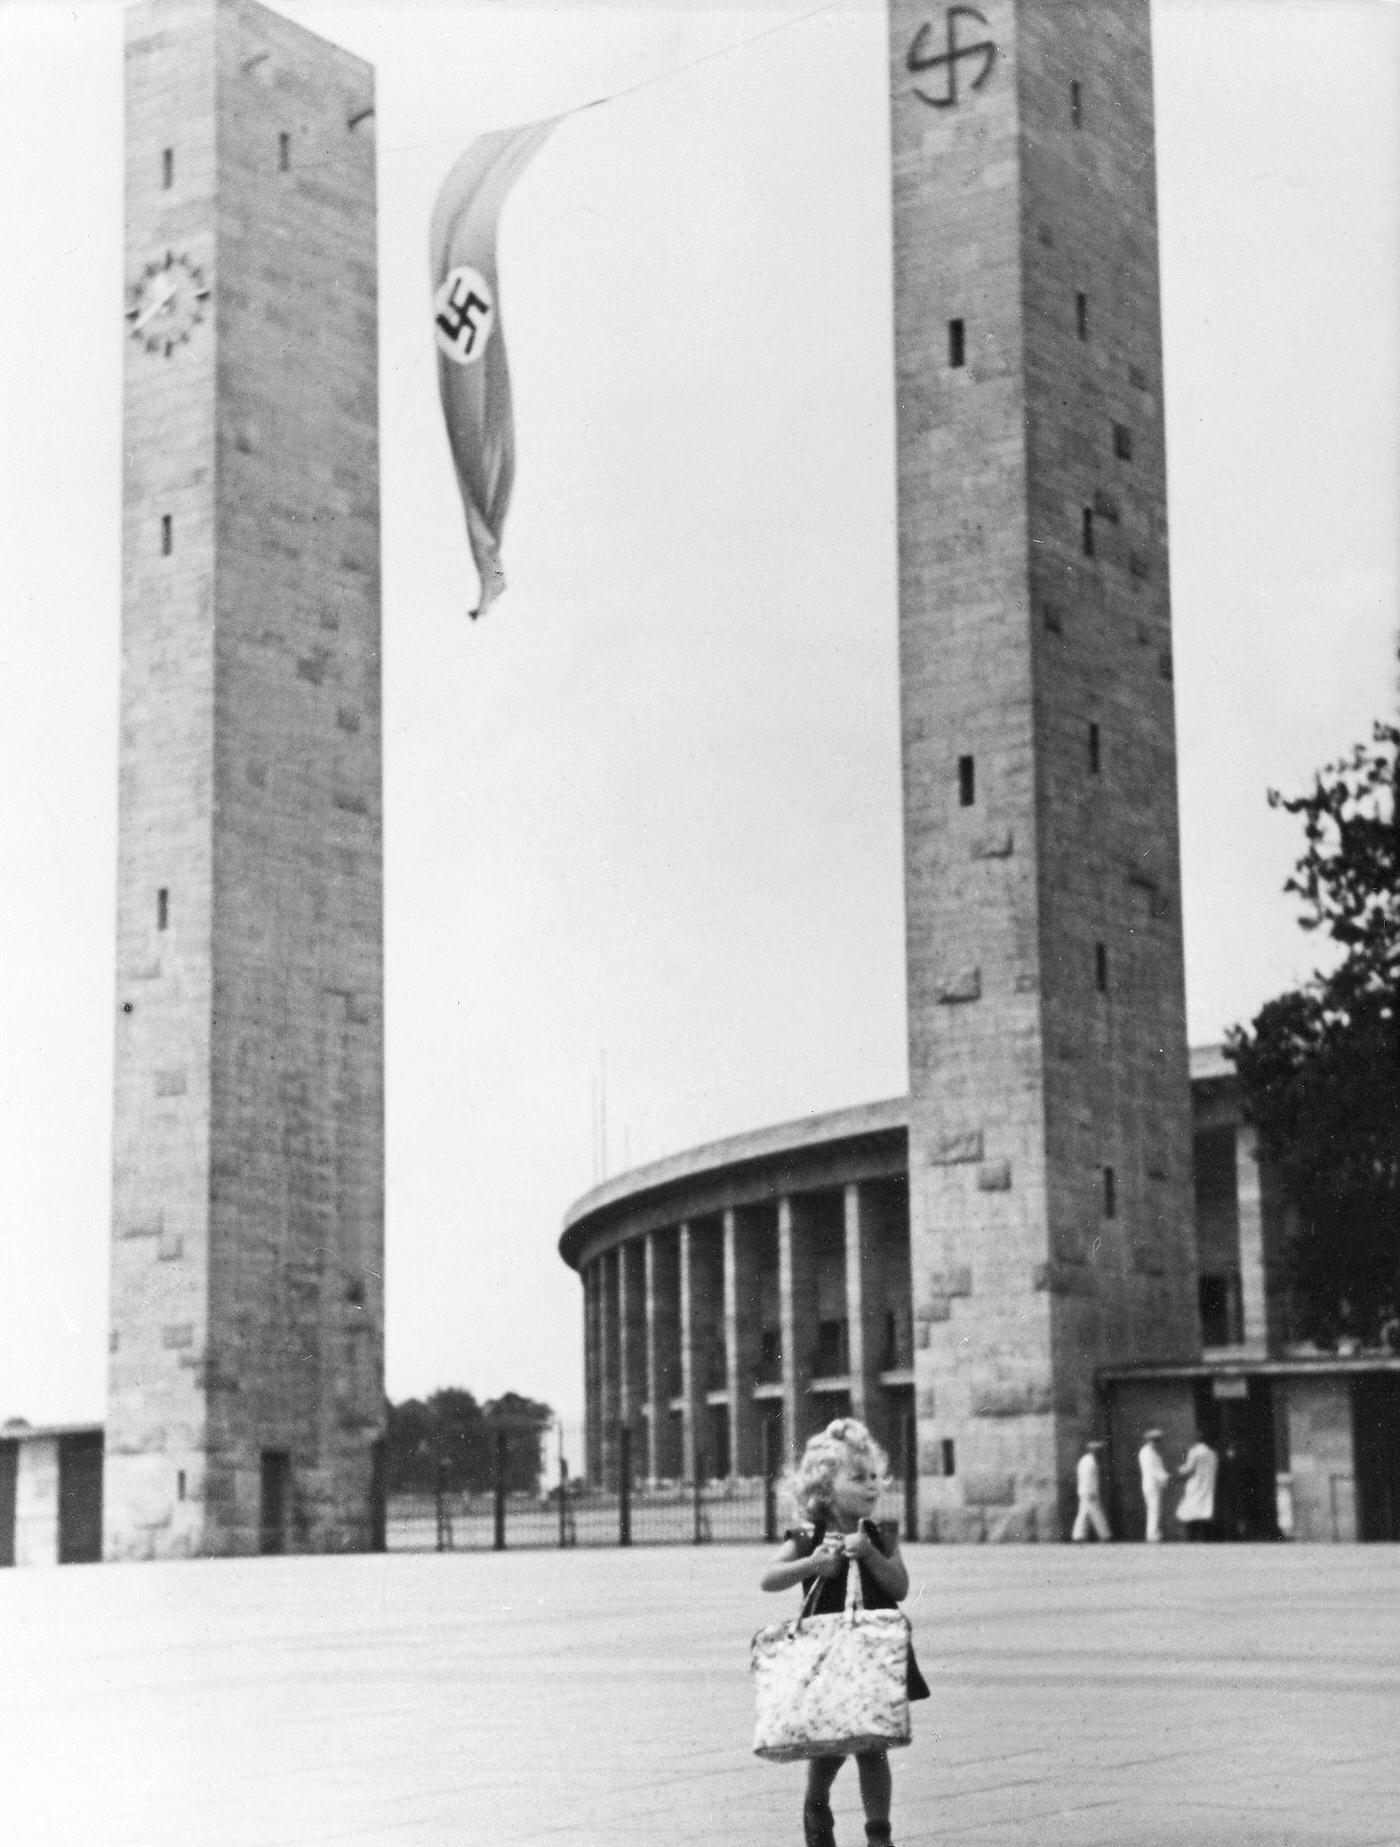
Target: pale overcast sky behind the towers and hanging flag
(644, 869)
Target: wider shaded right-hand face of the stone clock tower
(296, 1281)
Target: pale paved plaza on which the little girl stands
(1172, 1696)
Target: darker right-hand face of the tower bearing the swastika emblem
(1113, 969)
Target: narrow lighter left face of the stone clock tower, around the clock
(160, 1238)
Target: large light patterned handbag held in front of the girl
(832, 1685)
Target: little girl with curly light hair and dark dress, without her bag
(838, 1486)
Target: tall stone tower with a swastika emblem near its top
(1050, 1144)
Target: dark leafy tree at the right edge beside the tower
(1322, 1067)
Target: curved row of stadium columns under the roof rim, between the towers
(725, 1338)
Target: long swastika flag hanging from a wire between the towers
(474, 378)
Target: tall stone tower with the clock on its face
(248, 1220)
